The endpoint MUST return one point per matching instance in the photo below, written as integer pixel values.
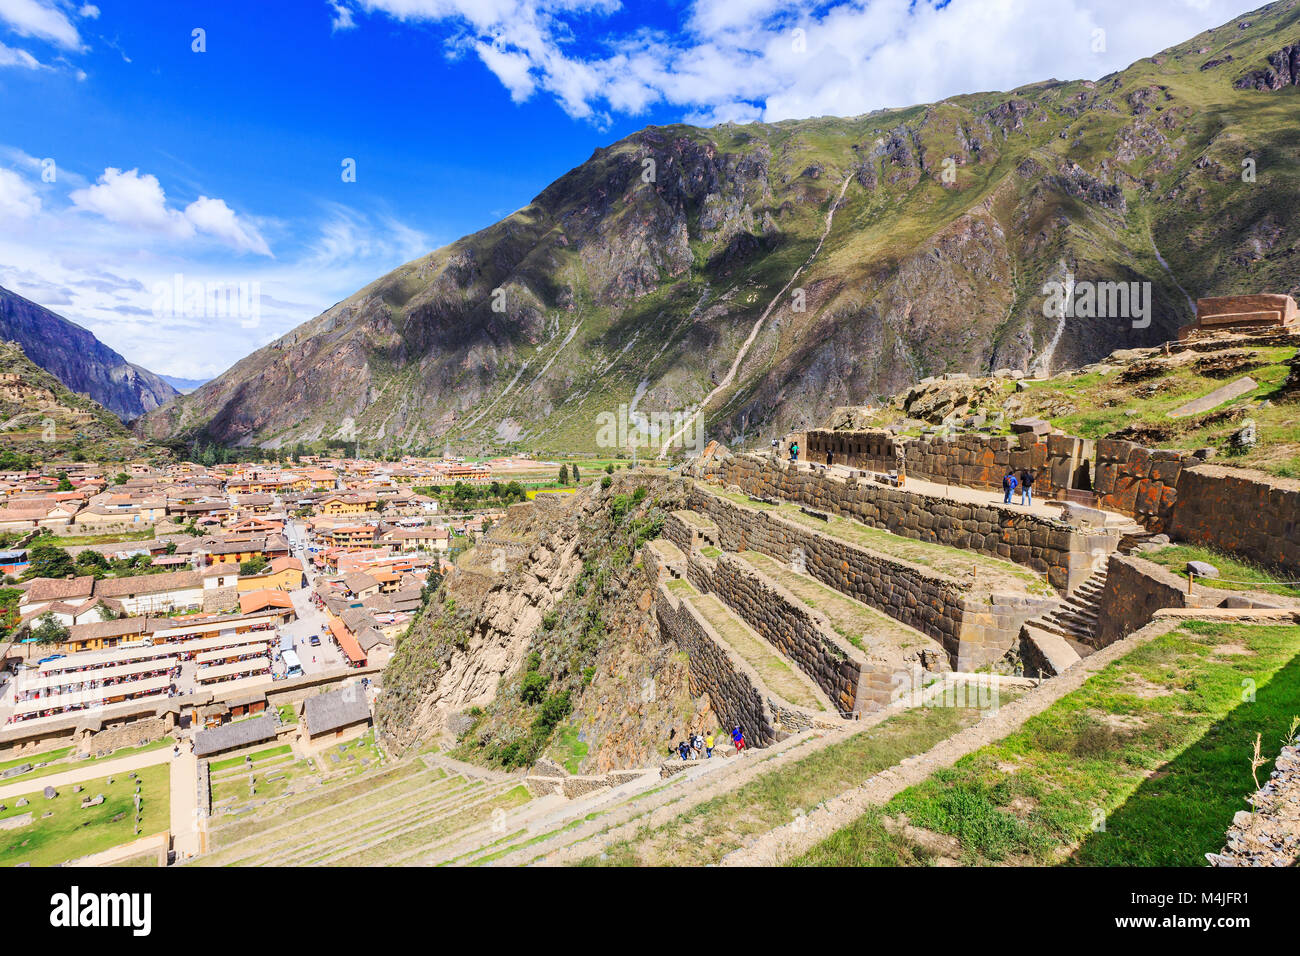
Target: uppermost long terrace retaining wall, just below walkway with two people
(1065, 555)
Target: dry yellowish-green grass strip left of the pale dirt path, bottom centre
(713, 829)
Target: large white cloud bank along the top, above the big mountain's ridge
(743, 59)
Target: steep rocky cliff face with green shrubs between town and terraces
(543, 642)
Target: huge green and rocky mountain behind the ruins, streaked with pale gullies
(770, 272)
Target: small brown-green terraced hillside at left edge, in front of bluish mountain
(41, 419)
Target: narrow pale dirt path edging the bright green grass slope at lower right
(792, 840)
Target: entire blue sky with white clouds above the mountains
(127, 157)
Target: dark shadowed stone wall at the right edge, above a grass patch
(1241, 512)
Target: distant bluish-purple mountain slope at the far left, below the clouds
(80, 361)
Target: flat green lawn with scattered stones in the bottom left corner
(73, 833)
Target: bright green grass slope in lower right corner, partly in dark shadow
(1156, 747)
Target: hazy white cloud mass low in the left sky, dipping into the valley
(103, 271)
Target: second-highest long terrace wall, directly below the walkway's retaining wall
(973, 631)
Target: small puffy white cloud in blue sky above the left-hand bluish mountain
(138, 201)
